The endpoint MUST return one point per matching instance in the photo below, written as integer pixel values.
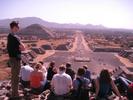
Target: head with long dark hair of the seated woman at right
(105, 76)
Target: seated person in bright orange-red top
(36, 78)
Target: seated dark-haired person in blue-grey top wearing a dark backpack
(81, 86)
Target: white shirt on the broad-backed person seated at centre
(61, 83)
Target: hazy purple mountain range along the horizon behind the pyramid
(26, 21)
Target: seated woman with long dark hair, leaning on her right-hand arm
(104, 84)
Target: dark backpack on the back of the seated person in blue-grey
(82, 92)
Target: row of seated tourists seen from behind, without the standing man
(64, 82)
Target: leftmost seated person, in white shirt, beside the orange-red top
(25, 72)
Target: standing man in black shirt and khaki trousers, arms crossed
(14, 47)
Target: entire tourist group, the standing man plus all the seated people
(62, 81)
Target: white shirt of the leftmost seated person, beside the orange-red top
(25, 72)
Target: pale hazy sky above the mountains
(110, 13)
